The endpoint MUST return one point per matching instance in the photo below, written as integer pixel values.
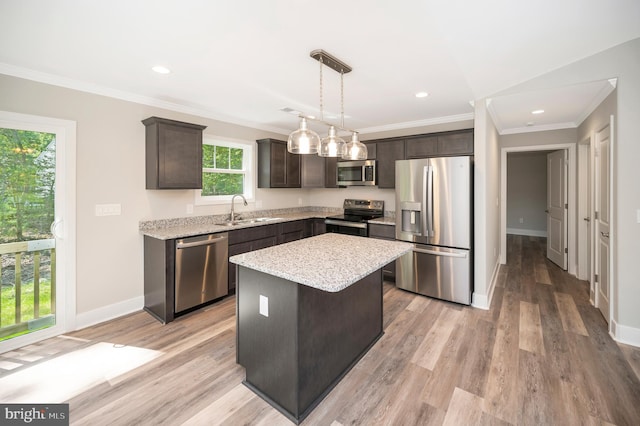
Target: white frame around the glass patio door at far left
(65, 210)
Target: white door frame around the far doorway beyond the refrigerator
(571, 187)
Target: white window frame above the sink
(248, 170)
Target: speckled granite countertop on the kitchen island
(329, 262)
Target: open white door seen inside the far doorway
(557, 208)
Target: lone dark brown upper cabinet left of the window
(173, 154)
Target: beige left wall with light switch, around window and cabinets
(110, 169)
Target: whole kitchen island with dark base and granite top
(307, 311)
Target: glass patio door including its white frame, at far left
(37, 251)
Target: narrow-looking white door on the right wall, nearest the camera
(603, 220)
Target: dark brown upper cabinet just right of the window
(277, 167)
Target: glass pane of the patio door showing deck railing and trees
(27, 246)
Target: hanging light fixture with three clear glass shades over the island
(306, 141)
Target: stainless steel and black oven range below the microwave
(355, 217)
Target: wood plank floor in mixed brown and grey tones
(540, 356)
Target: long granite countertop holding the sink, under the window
(187, 229)
